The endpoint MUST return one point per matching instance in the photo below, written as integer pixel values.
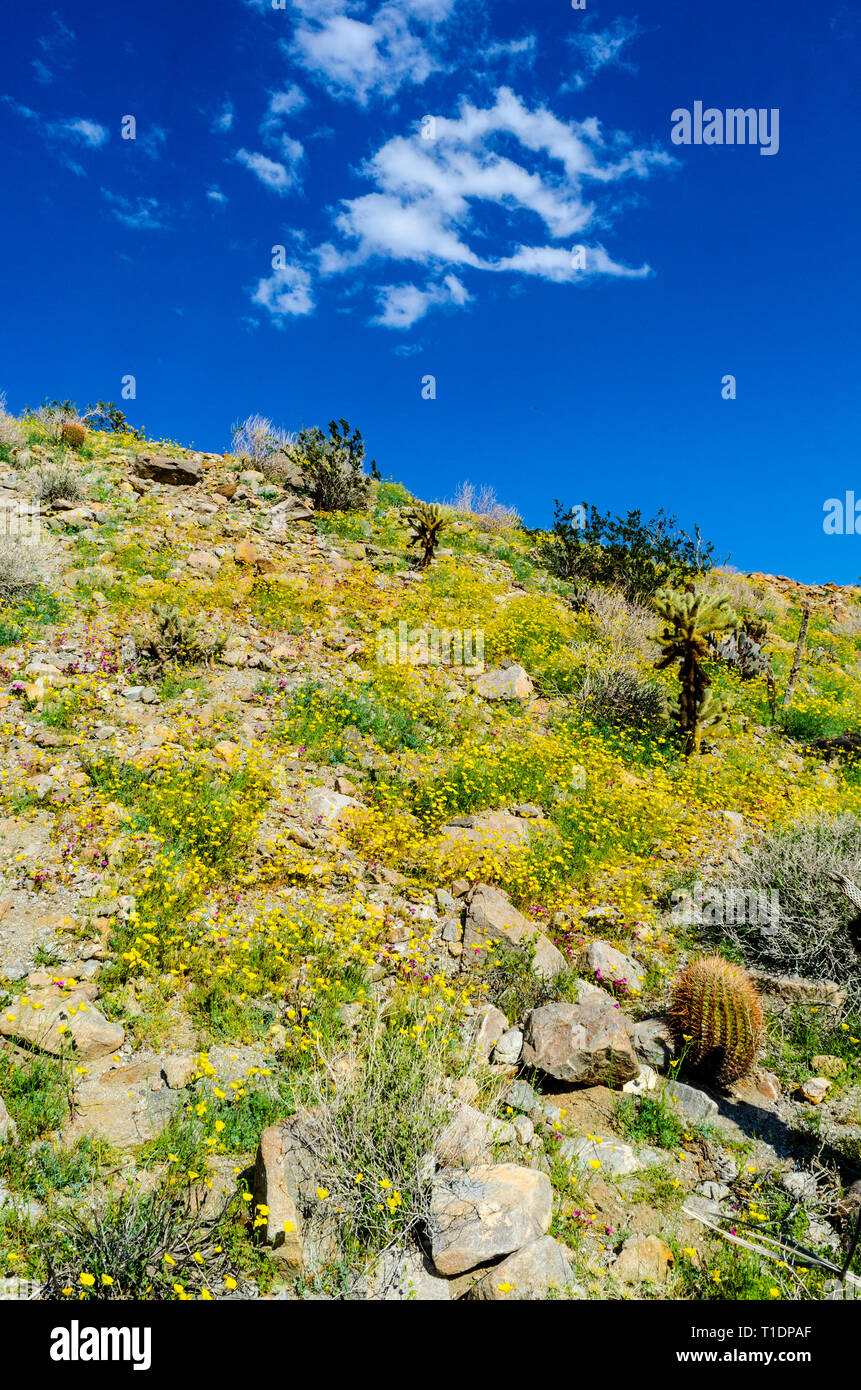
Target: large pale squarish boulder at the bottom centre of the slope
(485, 1213)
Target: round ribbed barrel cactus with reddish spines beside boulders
(717, 1020)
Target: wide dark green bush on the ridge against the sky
(627, 553)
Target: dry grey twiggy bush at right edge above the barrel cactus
(809, 932)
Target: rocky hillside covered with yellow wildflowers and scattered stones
(332, 968)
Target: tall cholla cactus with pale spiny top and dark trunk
(689, 619)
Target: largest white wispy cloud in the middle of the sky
(503, 190)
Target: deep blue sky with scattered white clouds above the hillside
(449, 248)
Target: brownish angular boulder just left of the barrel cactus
(584, 1045)
